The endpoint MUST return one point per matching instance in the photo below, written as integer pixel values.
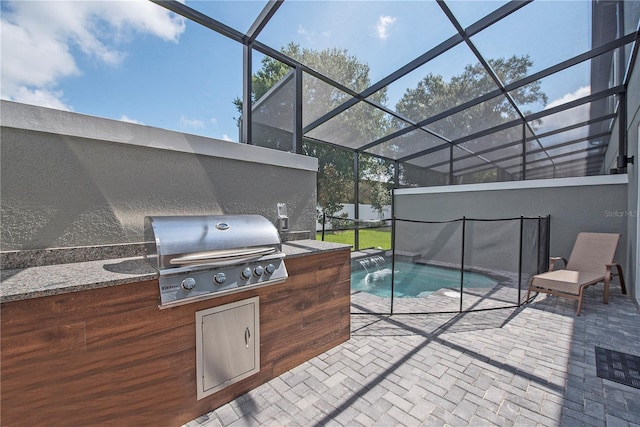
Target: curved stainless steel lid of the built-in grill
(180, 241)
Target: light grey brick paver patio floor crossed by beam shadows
(533, 365)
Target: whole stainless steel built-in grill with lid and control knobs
(201, 257)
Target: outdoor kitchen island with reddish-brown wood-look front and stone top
(86, 343)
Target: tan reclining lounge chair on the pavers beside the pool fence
(591, 262)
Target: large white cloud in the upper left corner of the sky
(38, 38)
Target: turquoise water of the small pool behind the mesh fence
(414, 280)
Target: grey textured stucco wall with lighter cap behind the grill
(72, 180)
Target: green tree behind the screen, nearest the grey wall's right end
(358, 125)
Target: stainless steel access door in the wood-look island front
(227, 345)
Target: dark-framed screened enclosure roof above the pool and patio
(528, 89)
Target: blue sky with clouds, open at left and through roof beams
(135, 61)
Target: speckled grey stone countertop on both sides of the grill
(35, 282)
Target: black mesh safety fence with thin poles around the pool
(459, 265)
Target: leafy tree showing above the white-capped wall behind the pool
(433, 95)
